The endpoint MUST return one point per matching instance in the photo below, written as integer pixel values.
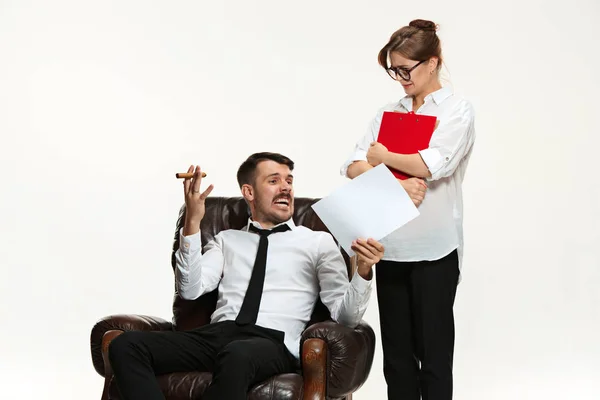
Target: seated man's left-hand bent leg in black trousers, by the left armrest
(137, 357)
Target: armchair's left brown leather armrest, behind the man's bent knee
(120, 323)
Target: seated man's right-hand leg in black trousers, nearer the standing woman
(243, 363)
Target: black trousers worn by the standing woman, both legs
(416, 302)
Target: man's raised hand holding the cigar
(194, 201)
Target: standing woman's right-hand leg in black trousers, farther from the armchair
(434, 289)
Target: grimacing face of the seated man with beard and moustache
(272, 194)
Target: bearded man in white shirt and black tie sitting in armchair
(263, 304)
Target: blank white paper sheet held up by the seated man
(372, 205)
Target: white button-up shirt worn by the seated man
(301, 265)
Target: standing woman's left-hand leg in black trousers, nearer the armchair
(400, 367)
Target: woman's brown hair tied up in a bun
(417, 41)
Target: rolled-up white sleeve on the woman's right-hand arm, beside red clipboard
(451, 141)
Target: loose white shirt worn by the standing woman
(437, 231)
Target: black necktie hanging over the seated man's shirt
(249, 311)
